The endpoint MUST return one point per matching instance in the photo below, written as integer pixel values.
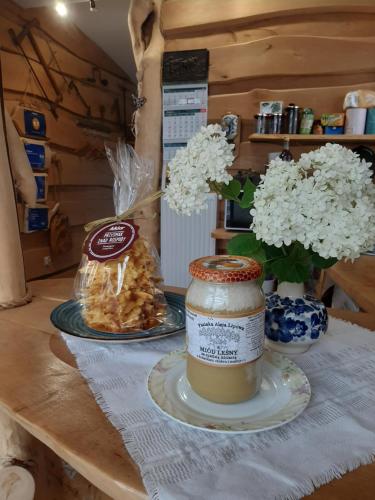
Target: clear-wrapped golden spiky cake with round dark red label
(119, 283)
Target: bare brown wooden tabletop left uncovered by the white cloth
(41, 389)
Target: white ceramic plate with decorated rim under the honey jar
(284, 394)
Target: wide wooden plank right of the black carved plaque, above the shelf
(291, 56)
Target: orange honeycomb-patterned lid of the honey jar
(225, 269)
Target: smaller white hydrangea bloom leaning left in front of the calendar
(203, 160)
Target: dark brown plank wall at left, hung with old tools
(79, 177)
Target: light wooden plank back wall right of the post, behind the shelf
(311, 52)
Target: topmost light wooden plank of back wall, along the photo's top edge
(181, 18)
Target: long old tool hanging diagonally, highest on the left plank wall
(17, 40)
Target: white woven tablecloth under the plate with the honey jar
(334, 435)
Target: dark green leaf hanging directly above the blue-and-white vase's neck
(295, 266)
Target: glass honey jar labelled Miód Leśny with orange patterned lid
(225, 328)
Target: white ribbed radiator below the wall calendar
(184, 239)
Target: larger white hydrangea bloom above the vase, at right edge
(326, 201)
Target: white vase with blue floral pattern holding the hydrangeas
(294, 321)
